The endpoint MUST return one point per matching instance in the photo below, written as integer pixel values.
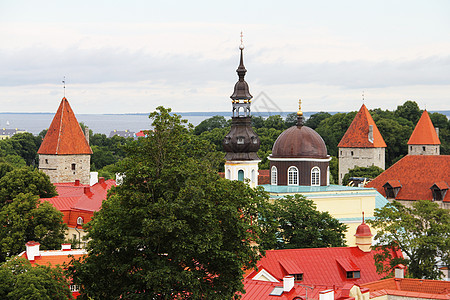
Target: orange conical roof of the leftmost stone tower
(64, 135)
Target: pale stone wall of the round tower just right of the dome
(359, 157)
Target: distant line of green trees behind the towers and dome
(395, 127)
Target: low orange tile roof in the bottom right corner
(408, 287)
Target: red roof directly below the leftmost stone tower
(79, 200)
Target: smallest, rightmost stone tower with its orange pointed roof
(425, 138)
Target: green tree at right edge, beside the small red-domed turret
(421, 231)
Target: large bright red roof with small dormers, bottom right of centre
(322, 266)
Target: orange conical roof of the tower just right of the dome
(357, 134)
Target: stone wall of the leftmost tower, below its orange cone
(66, 168)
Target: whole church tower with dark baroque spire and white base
(241, 143)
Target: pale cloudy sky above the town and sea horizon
(133, 56)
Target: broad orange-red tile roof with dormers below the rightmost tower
(416, 174)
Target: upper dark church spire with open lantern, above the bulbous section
(241, 90)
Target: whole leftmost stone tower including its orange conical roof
(65, 154)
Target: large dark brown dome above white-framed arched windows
(299, 141)
